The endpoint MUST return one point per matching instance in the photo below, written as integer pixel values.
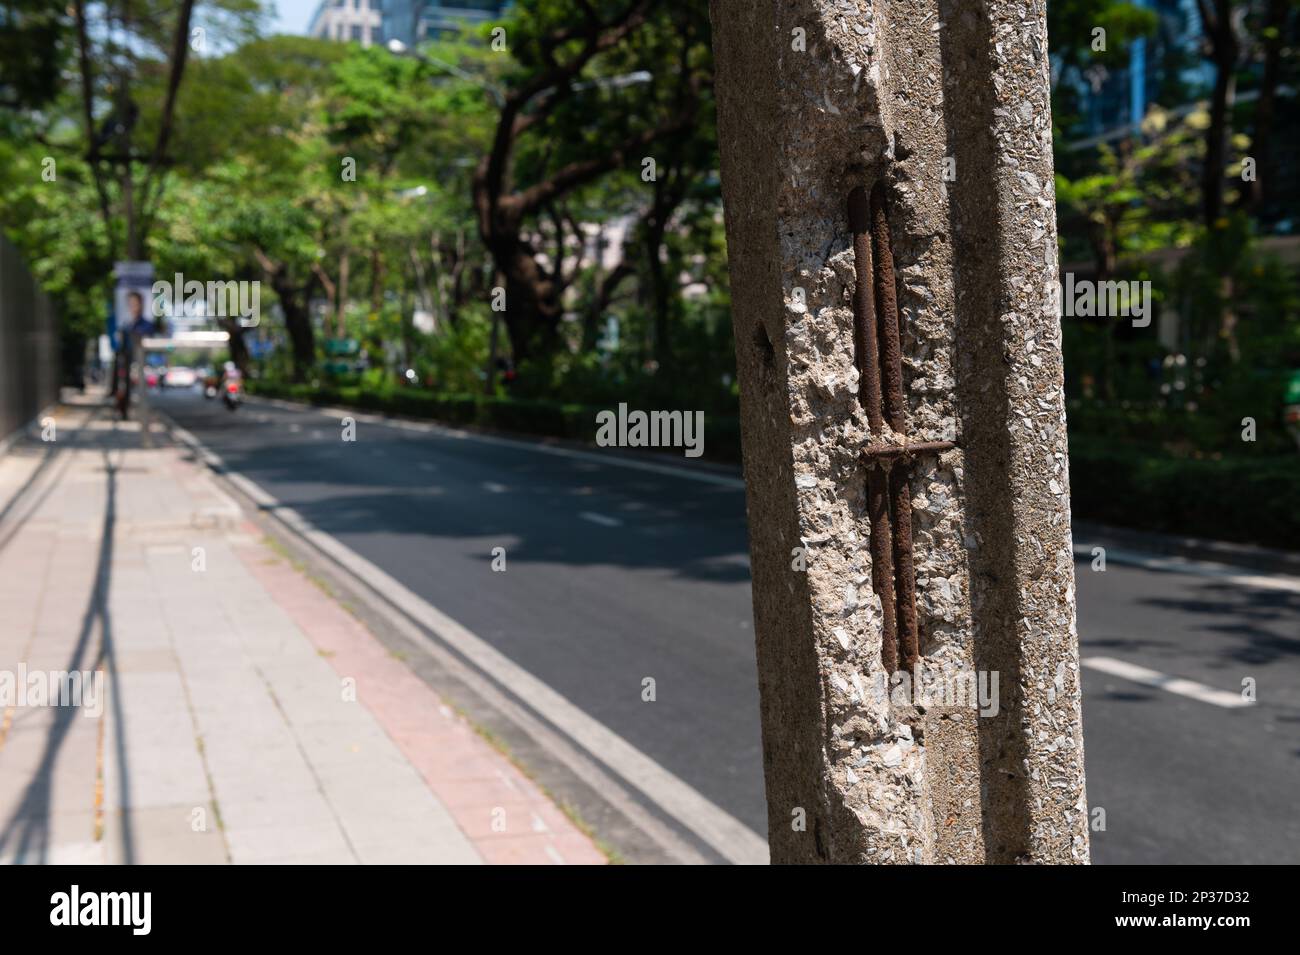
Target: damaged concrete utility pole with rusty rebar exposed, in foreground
(891, 225)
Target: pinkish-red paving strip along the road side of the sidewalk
(476, 783)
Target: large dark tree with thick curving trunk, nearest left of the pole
(557, 45)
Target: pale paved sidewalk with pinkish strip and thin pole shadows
(245, 717)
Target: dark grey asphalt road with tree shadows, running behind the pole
(616, 575)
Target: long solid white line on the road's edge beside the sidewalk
(694, 811)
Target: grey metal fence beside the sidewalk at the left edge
(29, 345)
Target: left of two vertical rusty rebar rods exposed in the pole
(868, 358)
